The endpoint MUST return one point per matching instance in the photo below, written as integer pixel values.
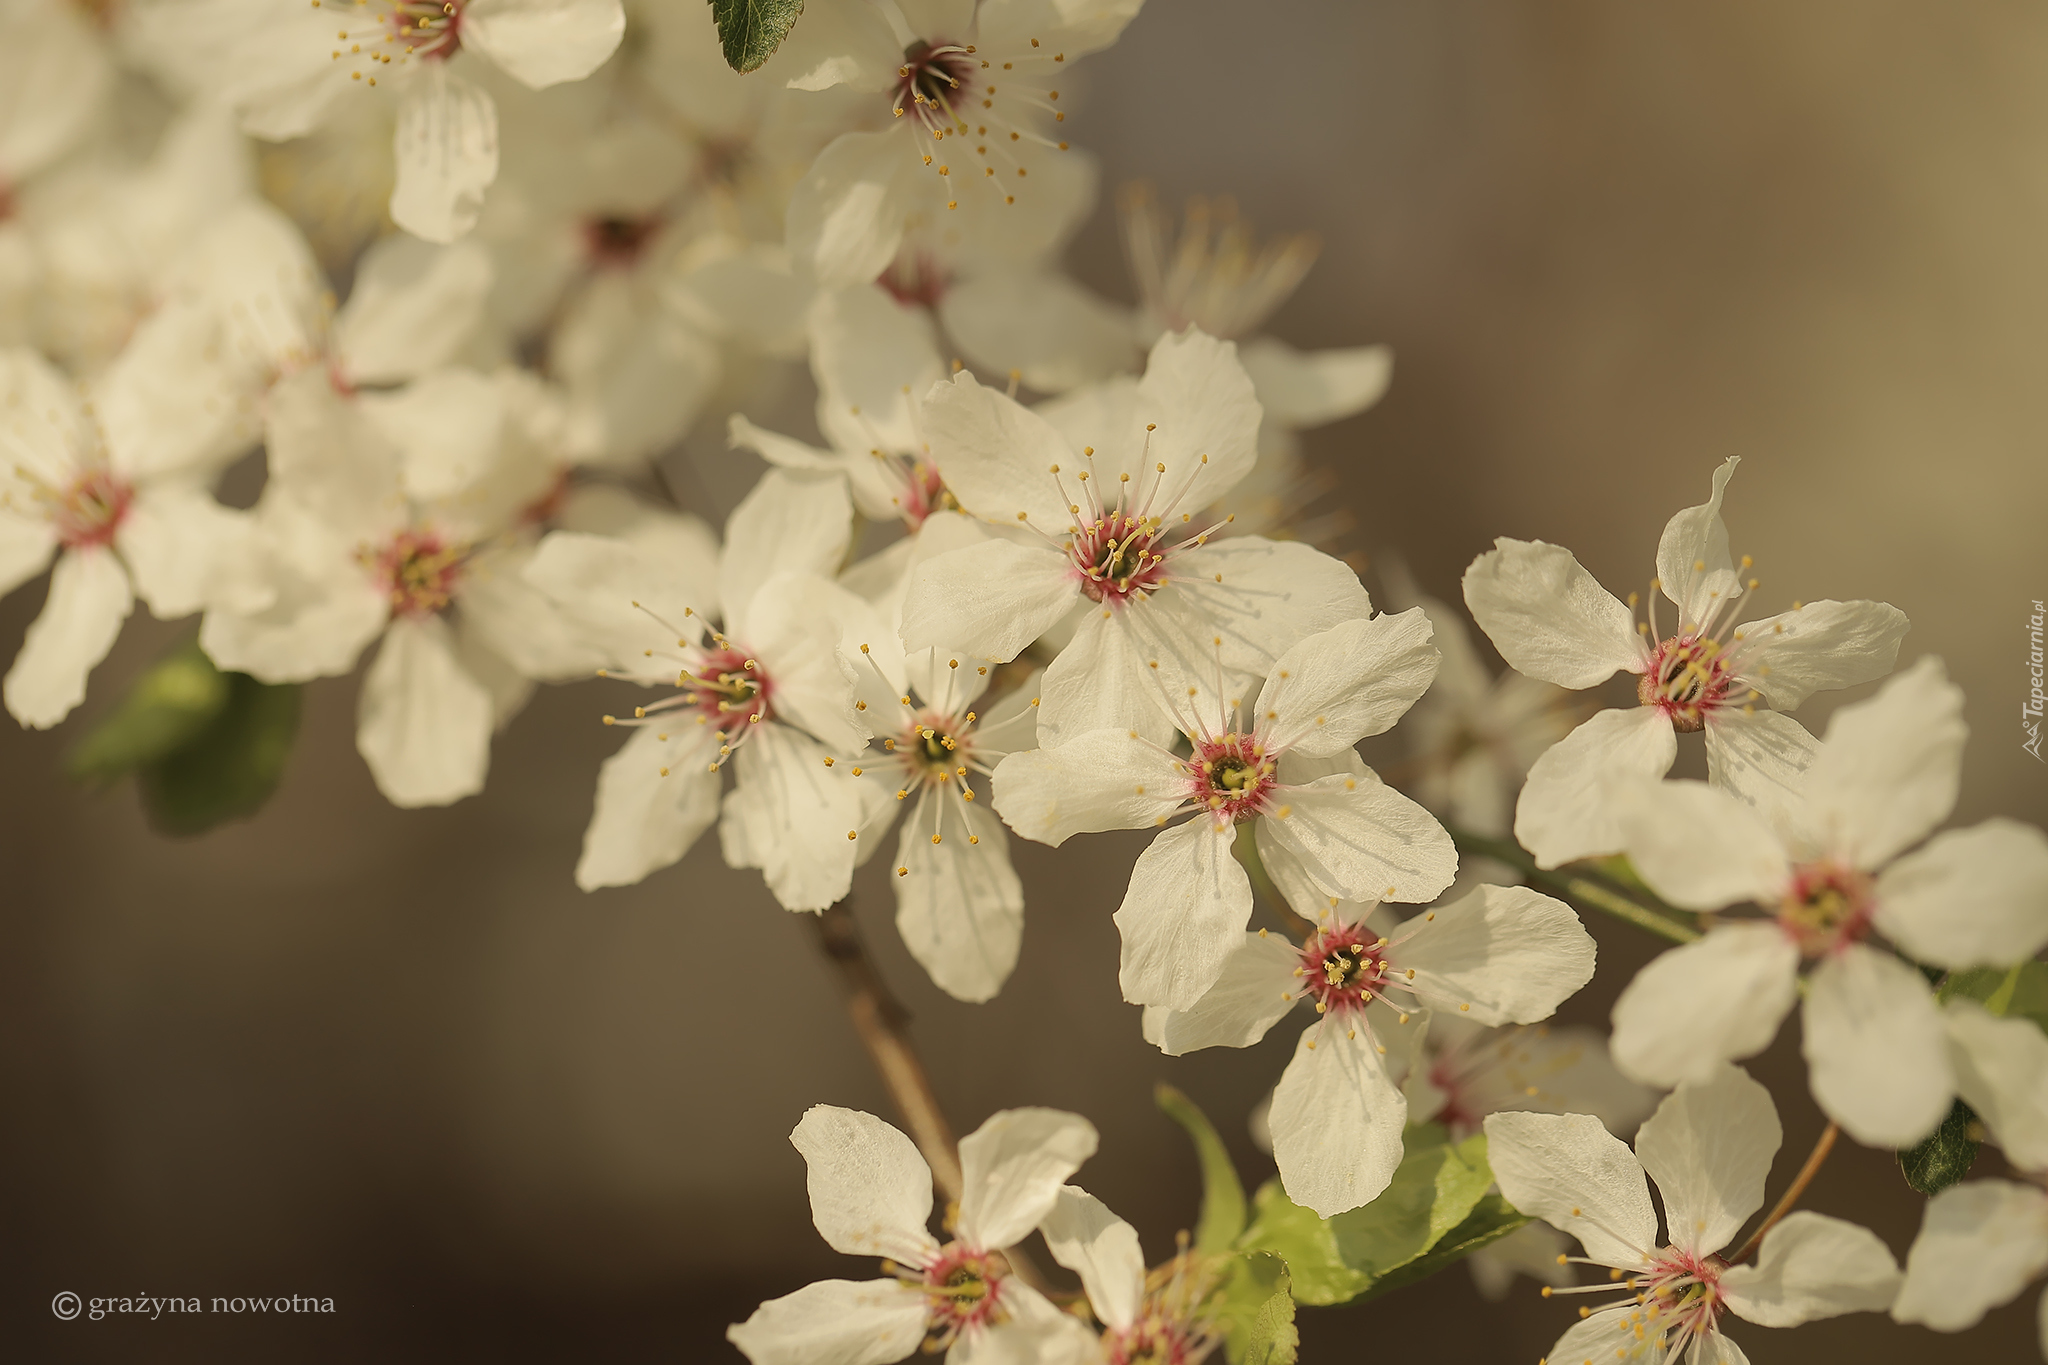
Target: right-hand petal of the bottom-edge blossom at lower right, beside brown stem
(1814, 1268)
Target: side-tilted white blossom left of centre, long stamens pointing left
(765, 687)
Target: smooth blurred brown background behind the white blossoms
(398, 1061)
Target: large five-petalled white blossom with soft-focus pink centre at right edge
(1832, 877)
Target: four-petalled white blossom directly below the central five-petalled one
(1318, 816)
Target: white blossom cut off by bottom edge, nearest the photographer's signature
(871, 1196)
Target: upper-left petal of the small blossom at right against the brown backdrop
(1549, 617)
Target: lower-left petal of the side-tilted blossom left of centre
(644, 818)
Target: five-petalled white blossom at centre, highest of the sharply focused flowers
(1107, 484)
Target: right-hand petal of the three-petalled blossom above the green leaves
(1506, 955)
